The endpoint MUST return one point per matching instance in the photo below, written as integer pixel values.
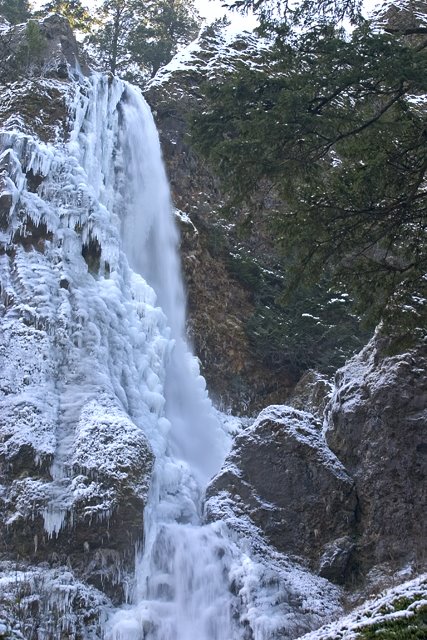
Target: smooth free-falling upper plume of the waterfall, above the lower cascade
(151, 244)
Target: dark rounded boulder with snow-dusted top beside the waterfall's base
(281, 474)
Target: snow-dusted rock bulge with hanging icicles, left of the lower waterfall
(90, 519)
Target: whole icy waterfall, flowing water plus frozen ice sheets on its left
(108, 303)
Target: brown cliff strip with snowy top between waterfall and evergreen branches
(219, 303)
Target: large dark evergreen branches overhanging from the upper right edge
(331, 123)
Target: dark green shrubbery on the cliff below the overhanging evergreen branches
(312, 327)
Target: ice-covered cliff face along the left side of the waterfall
(75, 466)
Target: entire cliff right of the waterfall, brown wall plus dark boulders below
(374, 425)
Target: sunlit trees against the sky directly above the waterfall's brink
(137, 38)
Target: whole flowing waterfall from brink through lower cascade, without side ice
(182, 576)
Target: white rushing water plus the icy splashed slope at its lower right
(193, 581)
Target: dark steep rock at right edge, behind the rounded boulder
(377, 426)
